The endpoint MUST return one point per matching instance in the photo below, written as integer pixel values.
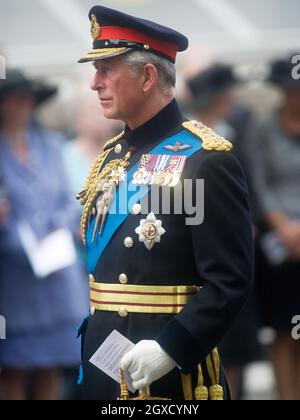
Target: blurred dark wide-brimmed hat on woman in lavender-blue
(16, 80)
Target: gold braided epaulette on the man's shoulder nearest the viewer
(211, 140)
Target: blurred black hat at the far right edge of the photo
(285, 72)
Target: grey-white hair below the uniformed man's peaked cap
(136, 60)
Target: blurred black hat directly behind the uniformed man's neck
(209, 84)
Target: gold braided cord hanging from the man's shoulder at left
(89, 193)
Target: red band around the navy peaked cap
(127, 34)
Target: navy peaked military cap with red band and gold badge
(115, 33)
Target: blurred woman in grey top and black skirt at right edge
(277, 173)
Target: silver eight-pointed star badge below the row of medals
(150, 231)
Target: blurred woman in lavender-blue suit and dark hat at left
(41, 315)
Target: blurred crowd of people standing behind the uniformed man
(40, 173)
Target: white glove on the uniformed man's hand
(146, 363)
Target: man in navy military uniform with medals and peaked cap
(170, 285)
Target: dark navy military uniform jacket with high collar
(216, 255)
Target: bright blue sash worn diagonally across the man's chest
(134, 195)
